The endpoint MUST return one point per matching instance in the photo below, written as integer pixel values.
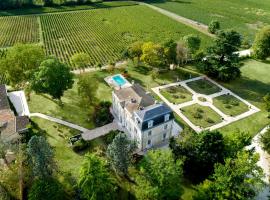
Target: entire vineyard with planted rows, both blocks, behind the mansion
(102, 33)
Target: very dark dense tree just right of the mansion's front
(199, 151)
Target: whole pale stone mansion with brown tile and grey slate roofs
(147, 122)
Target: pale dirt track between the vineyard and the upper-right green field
(194, 24)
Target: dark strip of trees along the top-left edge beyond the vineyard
(16, 4)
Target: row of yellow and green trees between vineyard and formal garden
(162, 55)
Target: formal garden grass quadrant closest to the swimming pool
(176, 94)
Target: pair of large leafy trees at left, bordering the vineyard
(26, 66)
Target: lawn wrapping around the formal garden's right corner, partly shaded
(252, 86)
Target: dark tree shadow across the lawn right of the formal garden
(250, 90)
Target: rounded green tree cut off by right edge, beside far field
(261, 44)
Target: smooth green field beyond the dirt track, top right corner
(241, 15)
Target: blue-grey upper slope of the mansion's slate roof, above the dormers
(153, 111)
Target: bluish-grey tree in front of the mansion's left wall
(120, 153)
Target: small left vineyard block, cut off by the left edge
(24, 29)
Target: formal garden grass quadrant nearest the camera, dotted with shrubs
(202, 116)
